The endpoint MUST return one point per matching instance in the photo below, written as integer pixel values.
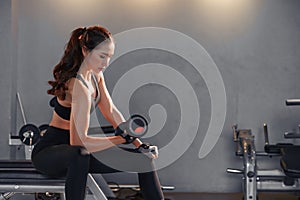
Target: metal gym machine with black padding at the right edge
(286, 179)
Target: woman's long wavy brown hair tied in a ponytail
(73, 57)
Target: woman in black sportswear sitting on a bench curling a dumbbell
(79, 86)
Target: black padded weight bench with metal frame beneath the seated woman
(19, 176)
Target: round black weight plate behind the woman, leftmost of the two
(29, 134)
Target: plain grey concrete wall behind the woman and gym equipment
(254, 44)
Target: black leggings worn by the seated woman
(59, 160)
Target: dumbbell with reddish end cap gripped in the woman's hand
(135, 126)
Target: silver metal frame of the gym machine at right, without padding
(254, 179)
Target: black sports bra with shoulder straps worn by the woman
(65, 112)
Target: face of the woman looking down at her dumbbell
(98, 58)
